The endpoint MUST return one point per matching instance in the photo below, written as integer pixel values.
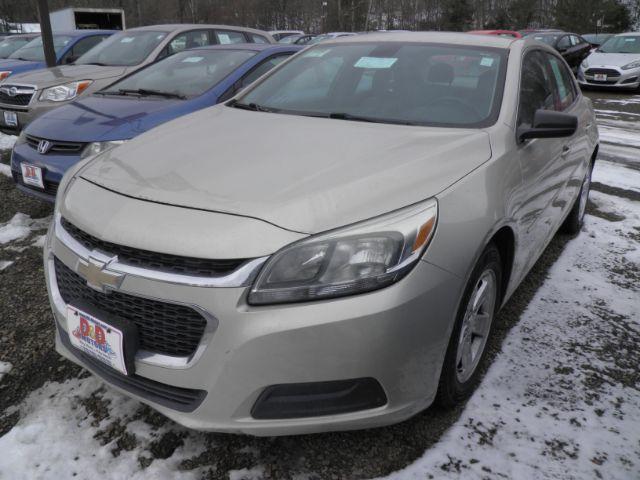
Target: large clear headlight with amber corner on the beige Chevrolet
(356, 259)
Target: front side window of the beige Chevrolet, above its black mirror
(536, 88)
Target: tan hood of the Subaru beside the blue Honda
(68, 73)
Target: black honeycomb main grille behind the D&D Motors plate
(164, 328)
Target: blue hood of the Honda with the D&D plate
(100, 118)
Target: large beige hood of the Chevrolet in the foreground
(300, 173)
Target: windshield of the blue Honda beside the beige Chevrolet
(185, 74)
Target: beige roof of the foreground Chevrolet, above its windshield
(429, 37)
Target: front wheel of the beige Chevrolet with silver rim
(460, 376)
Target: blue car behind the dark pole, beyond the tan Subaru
(68, 47)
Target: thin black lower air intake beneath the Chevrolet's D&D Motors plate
(177, 398)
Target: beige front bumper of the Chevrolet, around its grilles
(397, 336)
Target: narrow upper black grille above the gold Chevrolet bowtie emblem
(154, 260)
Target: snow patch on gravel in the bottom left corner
(55, 438)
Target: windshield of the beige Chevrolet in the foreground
(420, 84)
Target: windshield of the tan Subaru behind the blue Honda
(123, 49)
